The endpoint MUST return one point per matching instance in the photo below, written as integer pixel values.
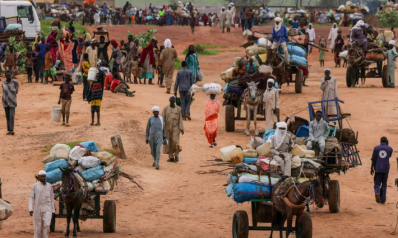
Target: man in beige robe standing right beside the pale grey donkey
(271, 104)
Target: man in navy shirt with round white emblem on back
(381, 165)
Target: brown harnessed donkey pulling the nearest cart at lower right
(294, 203)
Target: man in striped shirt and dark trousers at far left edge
(10, 91)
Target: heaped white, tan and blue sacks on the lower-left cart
(86, 160)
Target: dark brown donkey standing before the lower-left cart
(73, 197)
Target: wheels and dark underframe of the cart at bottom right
(262, 212)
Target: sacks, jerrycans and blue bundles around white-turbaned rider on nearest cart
(255, 171)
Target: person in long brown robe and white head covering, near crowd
(167, 58)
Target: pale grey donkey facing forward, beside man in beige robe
(252, 97)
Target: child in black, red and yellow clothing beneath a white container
(94, 97)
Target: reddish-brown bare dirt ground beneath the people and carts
(177, 200)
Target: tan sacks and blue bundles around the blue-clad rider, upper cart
(257, 45)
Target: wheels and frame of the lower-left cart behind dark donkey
(108, 215)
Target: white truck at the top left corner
(27, 13)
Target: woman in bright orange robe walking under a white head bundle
(211, 119)
